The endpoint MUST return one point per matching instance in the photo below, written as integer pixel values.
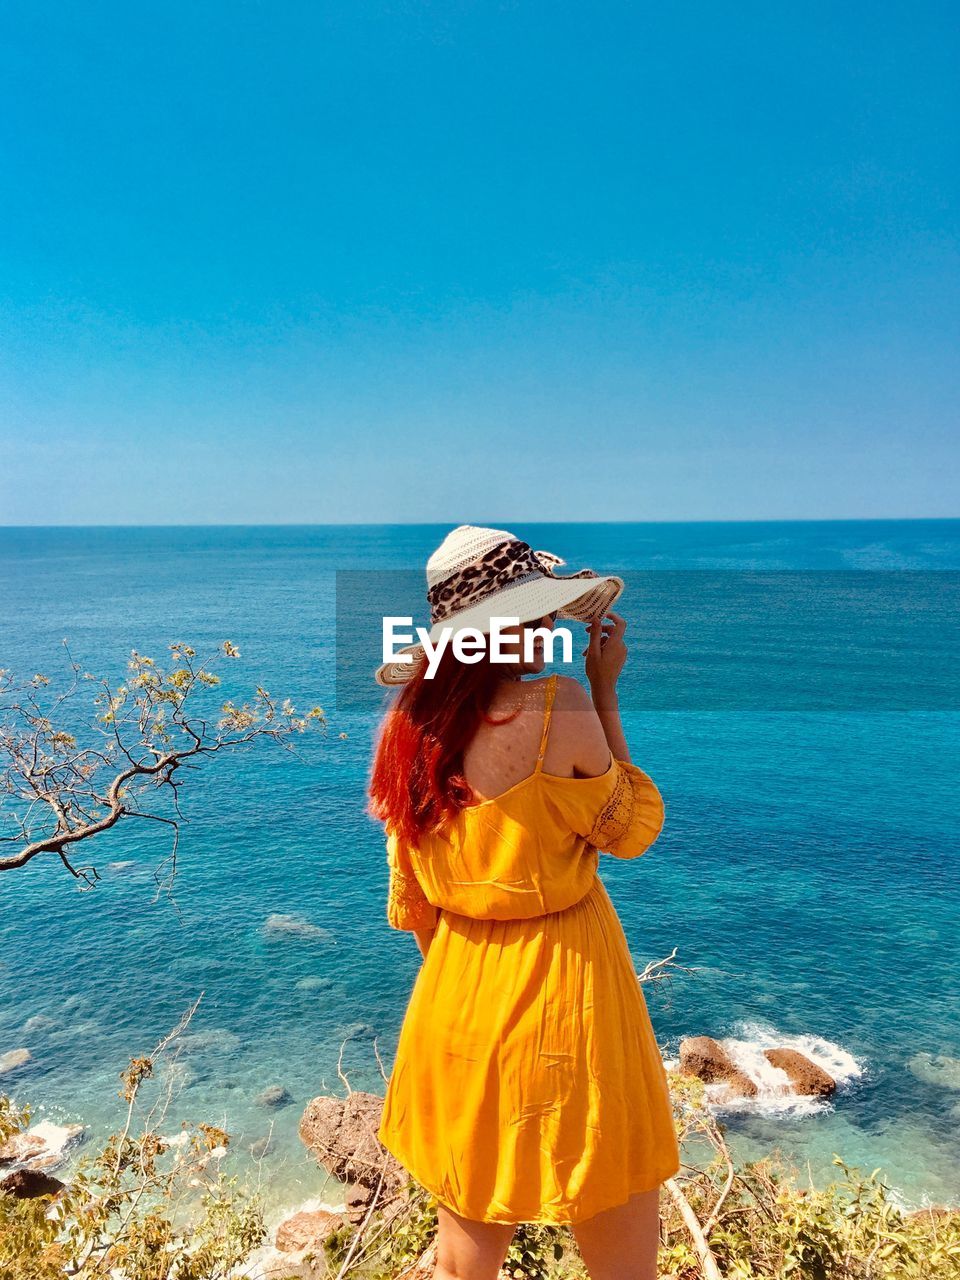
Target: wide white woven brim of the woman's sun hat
(575, 598)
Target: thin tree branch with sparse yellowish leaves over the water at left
(149, 734)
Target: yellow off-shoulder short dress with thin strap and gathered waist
(528, 1085)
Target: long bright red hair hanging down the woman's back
(417, 784)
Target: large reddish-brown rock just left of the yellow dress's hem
(342, 1135)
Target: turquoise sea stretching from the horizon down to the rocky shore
(807, 875)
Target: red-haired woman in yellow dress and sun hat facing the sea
(528, 1085)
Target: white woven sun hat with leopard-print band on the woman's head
(481, 574)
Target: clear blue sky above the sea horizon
(304, 262)
